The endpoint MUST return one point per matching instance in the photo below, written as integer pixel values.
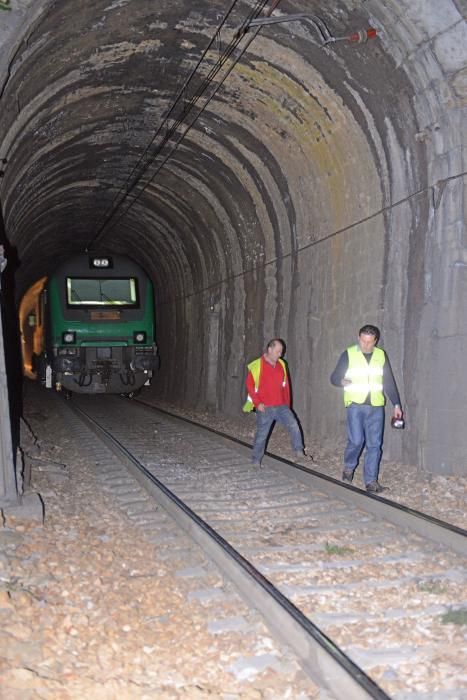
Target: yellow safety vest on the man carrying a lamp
(366, 377)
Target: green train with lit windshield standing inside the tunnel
(96, 322)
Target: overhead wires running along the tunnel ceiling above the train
(180, 116)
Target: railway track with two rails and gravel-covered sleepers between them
(360, 588)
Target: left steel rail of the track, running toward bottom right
(318, 655)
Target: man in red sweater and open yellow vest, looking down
(269, 393)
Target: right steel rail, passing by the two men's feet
(422, 524)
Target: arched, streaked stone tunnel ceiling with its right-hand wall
(320, 189)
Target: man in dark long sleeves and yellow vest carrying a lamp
(366, 375)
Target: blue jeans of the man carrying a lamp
(364, 427)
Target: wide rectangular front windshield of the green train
(92, 291)
